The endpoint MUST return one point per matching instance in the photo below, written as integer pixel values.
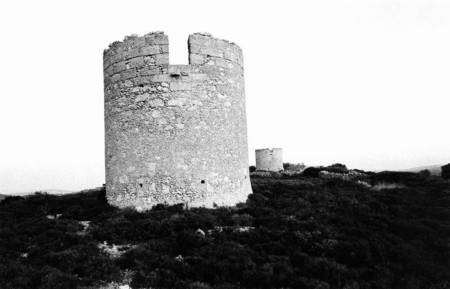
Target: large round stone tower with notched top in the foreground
(175, 133)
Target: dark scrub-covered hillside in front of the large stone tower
(293, 232)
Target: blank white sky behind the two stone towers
(365, 83)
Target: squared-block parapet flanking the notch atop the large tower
(149, 54)
